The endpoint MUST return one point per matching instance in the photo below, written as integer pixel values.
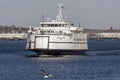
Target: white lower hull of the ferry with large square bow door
(61, 43)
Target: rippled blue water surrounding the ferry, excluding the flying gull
(101, 62)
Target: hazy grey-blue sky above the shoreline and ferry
(96, 13)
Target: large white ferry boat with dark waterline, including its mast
(57, 37)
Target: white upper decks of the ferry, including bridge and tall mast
(56, 26)
